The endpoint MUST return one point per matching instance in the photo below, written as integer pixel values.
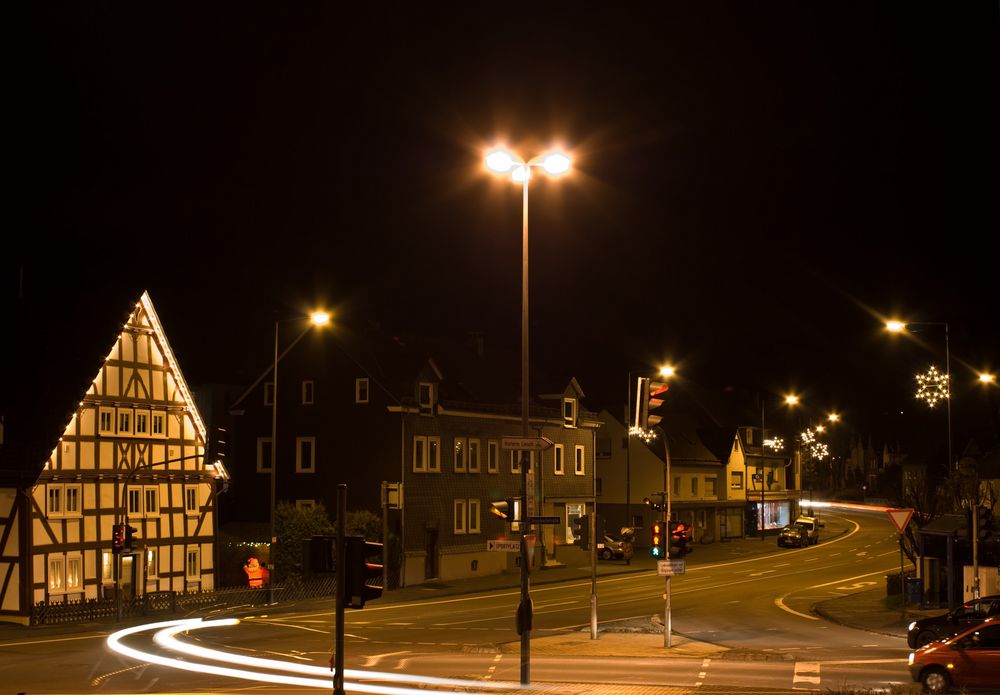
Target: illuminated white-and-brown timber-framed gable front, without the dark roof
(137, 422)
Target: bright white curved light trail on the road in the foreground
(286, 673)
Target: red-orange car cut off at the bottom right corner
(969, 659)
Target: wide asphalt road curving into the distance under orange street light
(744, 623)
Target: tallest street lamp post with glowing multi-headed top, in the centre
(555, 164)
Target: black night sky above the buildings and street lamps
(756, 185)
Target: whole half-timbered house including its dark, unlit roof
(100, 428)
